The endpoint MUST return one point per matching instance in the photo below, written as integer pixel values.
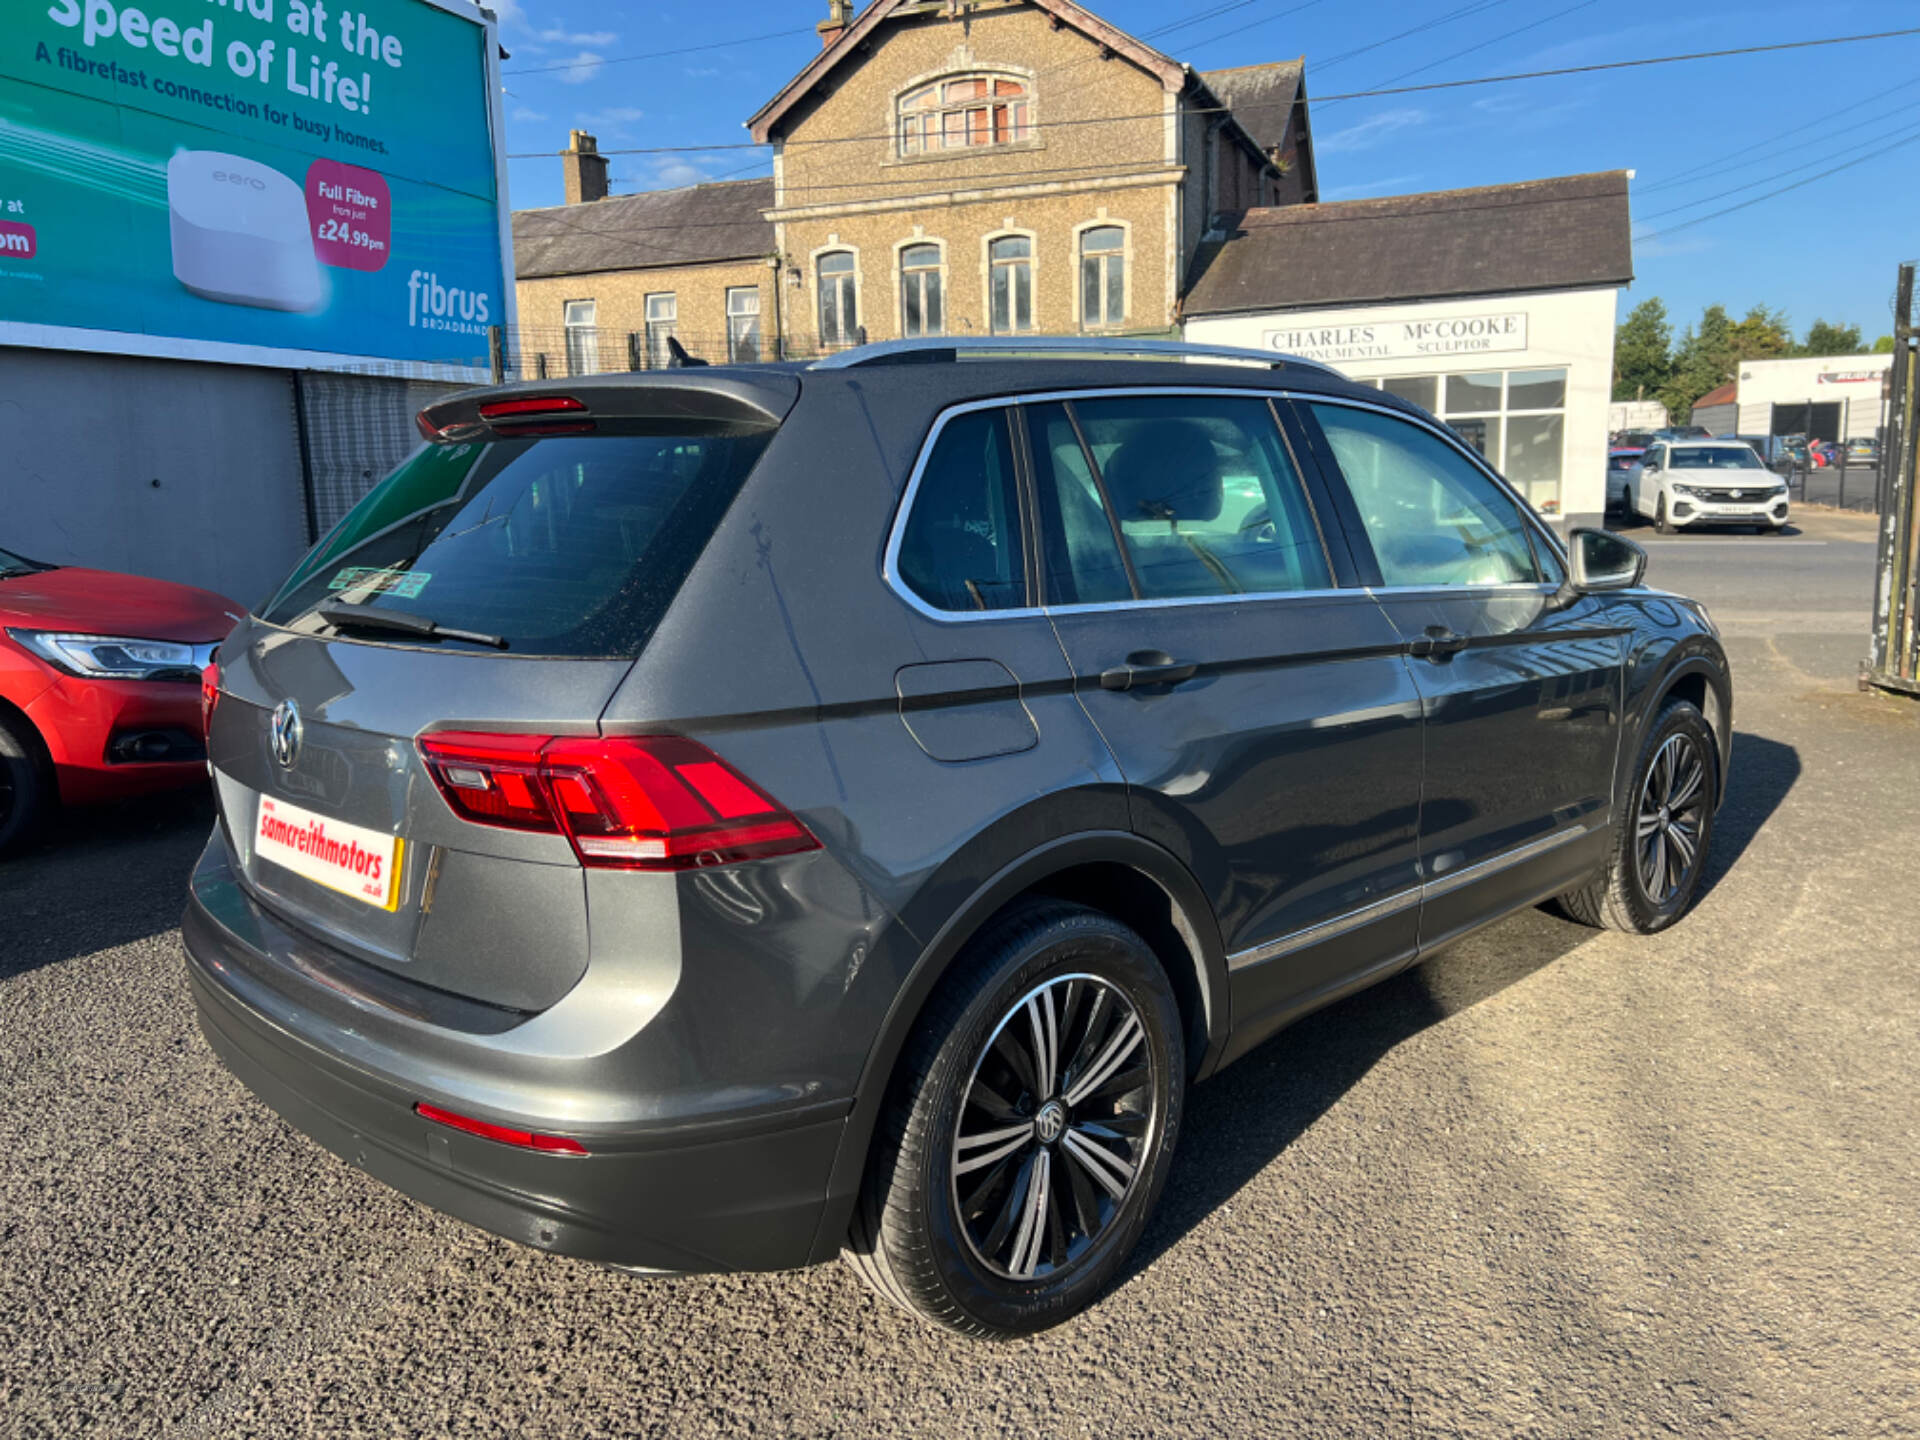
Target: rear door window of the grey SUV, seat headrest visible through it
(1199, 489)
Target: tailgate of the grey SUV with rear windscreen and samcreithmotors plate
(554, 556)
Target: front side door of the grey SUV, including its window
(1522, 694)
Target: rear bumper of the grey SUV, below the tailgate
(686, 1199)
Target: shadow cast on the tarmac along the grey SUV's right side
(1247, 1116)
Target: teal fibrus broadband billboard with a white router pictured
(256, 181)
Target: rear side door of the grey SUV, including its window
(1259, 709)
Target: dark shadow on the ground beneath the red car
(101, 876)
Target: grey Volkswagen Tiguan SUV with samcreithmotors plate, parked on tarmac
(723, 819)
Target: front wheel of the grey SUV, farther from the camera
(1623, 896)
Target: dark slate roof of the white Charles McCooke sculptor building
(1541, 235)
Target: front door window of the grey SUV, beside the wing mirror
(1431, 516)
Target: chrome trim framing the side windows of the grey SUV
(890, 564)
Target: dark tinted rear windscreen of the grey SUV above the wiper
(560, 546)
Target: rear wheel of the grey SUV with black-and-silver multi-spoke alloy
(978, 1266)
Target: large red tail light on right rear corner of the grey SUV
(625, 804)
